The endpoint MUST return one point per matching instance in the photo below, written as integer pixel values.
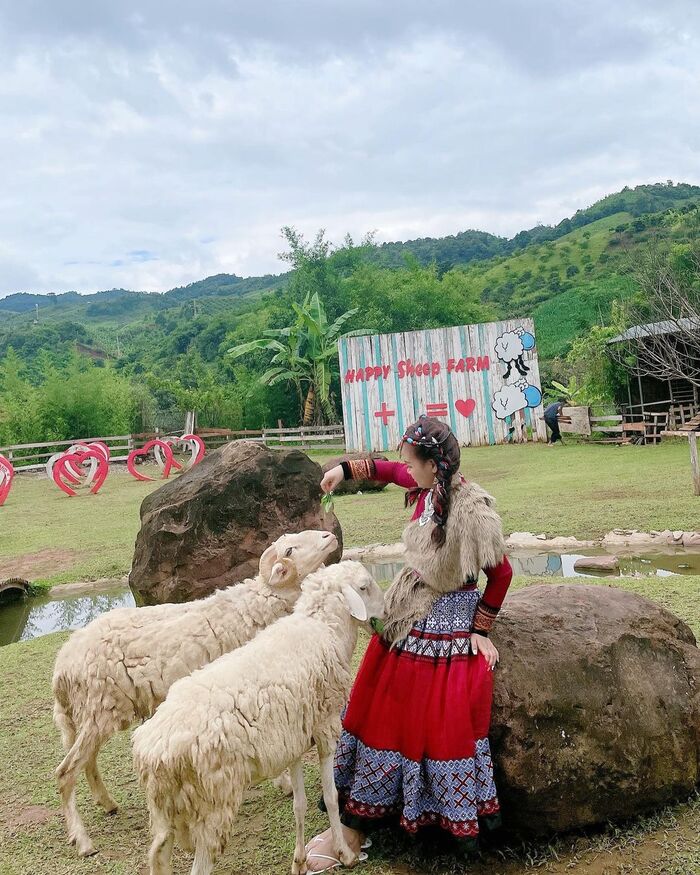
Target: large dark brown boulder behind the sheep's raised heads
(208, 528)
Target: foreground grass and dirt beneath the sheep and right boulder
(31, 830)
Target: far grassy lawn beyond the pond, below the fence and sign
(577, 489)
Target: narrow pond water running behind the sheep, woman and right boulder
(32, 617)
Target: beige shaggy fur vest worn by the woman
(473, 540)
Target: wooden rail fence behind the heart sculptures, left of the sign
(32, 457)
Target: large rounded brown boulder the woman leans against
(596, 707)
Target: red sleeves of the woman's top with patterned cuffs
(498, 577)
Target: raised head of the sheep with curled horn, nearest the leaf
(288, 560)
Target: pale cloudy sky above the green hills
(149, 144)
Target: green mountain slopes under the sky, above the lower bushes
(566, 276)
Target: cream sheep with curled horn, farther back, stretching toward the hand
(119, 668)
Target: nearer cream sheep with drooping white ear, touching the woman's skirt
(250, 714)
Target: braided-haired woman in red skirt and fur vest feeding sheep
(414, 746)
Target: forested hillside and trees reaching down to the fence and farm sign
(172, 347)
